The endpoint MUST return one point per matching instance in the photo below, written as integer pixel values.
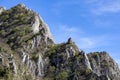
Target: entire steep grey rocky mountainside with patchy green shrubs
(28, 52)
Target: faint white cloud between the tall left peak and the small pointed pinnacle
(63, 32)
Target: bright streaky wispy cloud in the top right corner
(103, 6)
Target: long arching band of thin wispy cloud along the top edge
(98, 7)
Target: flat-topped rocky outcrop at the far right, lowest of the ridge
(103, 64)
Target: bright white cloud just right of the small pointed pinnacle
(90, 42)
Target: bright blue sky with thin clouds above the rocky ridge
(93, 24)
